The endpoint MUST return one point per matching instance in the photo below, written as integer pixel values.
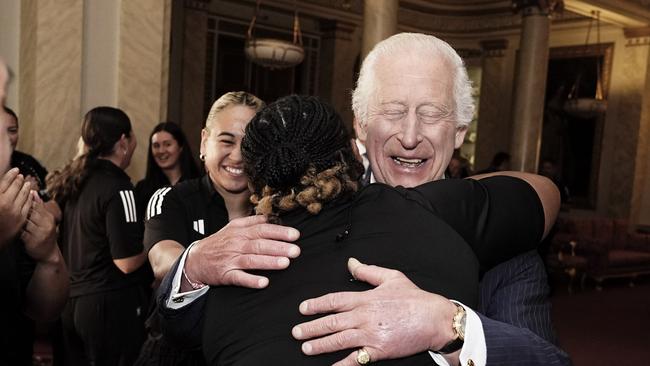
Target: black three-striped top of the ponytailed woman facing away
(100, 225)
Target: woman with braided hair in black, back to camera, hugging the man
(303, 172)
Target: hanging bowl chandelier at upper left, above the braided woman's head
(271, 52)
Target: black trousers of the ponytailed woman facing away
(104, 328)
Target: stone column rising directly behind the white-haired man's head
(379, 23)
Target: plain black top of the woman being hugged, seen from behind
(439, 235)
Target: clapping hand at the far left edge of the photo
(15, 203)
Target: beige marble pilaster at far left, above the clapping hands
(50, 79)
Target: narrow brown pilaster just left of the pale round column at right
(493, 128)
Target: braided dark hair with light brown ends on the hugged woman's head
(297, 152)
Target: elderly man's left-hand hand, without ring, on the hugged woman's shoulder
(247, 243)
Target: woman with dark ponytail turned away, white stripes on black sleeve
(101, 242)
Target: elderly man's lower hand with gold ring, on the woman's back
(396, 319)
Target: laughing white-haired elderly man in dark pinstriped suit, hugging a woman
(412, 106)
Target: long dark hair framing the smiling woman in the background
(186, 161)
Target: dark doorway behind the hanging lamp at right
(574, 142)
